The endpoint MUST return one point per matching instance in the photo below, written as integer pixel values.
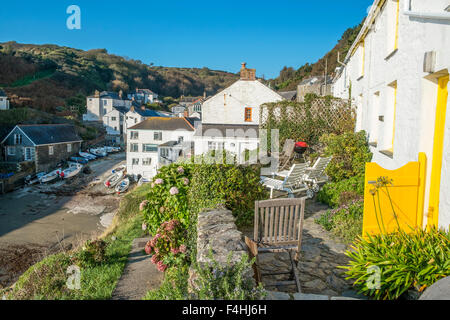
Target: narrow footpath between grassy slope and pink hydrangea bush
(139, 276)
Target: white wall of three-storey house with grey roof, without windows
(147, 137)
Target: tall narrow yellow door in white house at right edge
(438, 149)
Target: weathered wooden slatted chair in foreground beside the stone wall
(278, 228)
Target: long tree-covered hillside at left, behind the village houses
(48, 76)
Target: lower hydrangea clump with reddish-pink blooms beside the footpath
(168, 245)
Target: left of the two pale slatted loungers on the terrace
(292, 182)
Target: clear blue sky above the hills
(178, 33)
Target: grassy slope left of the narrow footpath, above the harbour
(47, 279)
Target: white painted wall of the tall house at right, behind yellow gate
(416, 90)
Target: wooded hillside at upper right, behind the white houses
(289, 78)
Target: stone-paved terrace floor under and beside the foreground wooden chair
(320, 257)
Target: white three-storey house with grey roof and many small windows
(145, 138)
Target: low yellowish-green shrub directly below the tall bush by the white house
(339, 193)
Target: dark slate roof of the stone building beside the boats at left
(50, 133)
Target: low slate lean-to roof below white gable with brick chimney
(228, 130)
